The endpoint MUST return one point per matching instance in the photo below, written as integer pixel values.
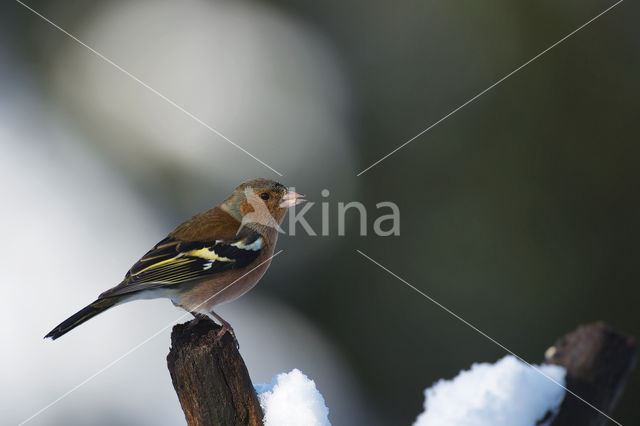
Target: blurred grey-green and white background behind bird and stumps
(520, 212)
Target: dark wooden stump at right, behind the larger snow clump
(598, 361)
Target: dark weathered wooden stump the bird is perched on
(210, 377)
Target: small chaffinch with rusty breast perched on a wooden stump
(214, 257)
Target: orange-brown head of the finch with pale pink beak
(261, 203)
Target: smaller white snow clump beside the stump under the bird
(291, 399)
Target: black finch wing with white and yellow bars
(173, 261)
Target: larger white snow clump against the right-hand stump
(507, 393)
